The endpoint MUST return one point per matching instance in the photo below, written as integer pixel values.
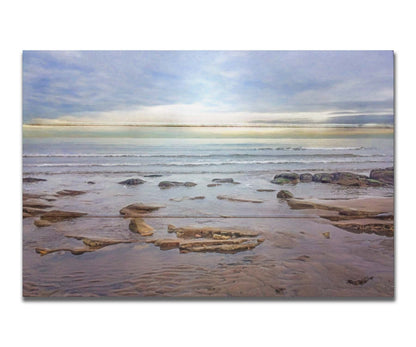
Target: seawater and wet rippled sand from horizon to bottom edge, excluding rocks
(70, 157)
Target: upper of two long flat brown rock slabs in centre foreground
(208, 232)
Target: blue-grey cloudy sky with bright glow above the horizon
(208, 87)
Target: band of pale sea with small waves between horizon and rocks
(59, 152)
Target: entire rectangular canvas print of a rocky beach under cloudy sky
(196, 174)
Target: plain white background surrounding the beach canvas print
(26, 25)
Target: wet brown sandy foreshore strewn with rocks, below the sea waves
(181, 239)
